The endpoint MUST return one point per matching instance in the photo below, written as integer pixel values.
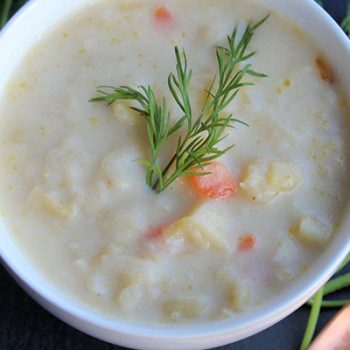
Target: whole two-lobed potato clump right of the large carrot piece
(262, 182)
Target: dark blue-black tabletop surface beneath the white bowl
(24, 325)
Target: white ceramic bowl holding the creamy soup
(28, 26)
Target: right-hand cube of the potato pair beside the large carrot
(284, 177)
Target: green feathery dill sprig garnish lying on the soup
(200, 136)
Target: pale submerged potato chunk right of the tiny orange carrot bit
(287, 259)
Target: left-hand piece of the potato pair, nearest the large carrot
(255, 184)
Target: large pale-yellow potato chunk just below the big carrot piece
(205, 228)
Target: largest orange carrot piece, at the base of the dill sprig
(219, 184)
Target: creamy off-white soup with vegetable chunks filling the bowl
(74, 193)
